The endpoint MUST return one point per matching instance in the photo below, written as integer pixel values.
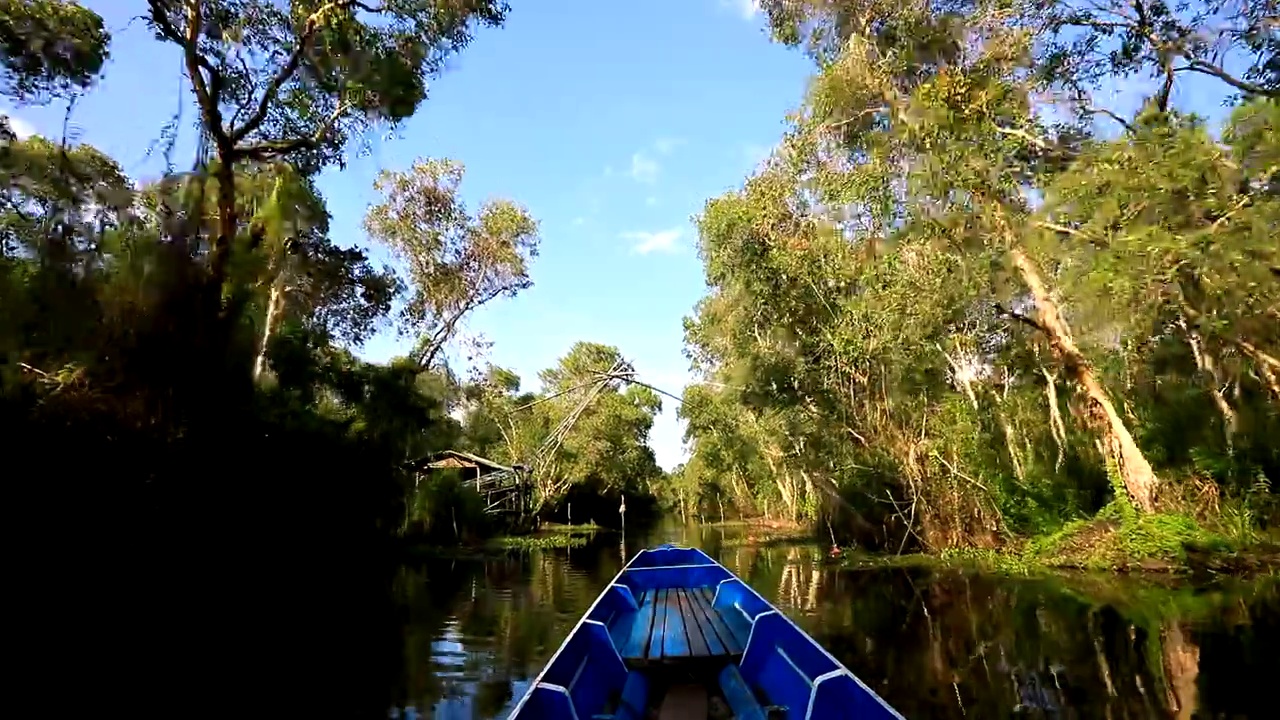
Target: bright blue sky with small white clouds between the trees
(612, 122)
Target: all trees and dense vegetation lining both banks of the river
(963, 304)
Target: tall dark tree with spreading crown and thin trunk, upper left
(298, 81)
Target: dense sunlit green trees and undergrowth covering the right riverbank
(966, 302)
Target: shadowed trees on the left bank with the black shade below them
(203, 448)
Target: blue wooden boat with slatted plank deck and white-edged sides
(676, 635)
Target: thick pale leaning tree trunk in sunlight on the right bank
(1136, 472)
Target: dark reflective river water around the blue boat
(935, 644)
